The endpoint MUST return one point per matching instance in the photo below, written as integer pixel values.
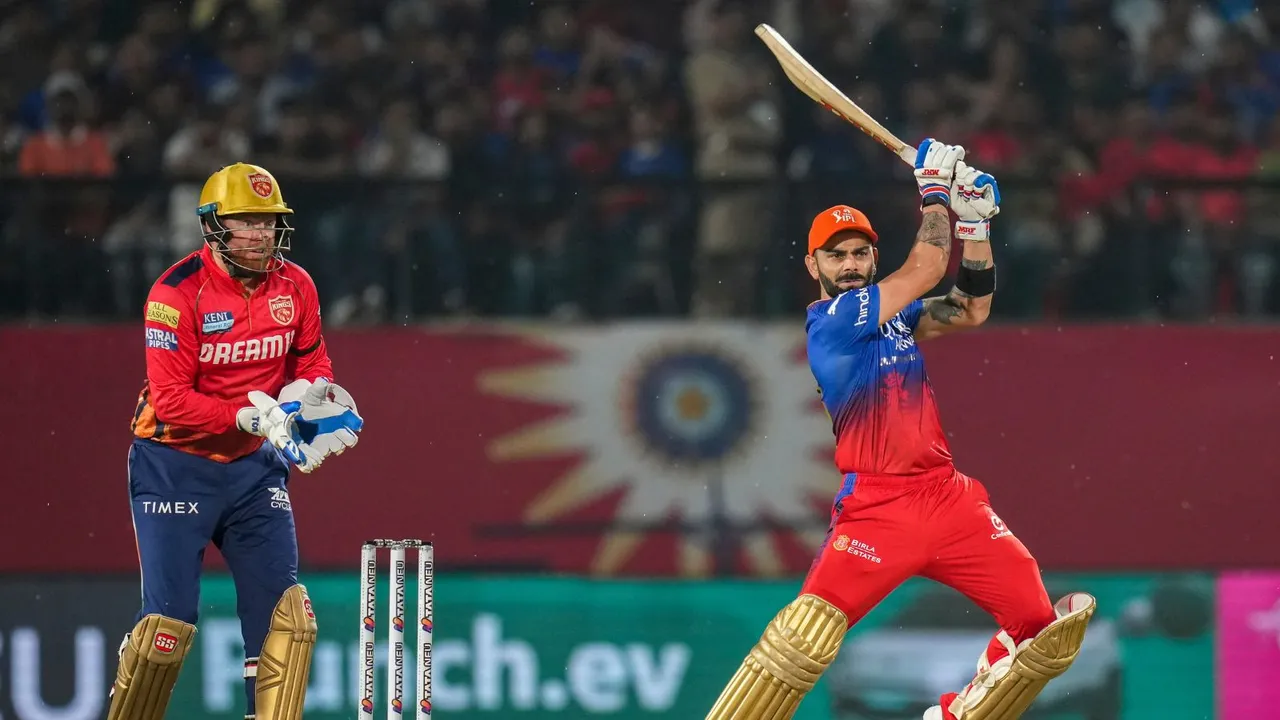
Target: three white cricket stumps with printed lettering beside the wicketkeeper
(396, 626)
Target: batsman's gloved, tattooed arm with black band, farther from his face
(976, 199)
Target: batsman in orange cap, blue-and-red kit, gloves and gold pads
(904, 509)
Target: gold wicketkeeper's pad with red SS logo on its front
(150, 660)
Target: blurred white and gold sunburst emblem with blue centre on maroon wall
(701, 423)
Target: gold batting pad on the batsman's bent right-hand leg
(1005, 690)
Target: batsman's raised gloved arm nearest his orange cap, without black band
(927, 263)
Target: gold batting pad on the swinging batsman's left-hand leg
(794, 651)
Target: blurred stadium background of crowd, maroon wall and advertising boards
(560, 252)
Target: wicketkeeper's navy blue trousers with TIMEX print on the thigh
(182, 503)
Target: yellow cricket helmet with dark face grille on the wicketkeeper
(241, 190)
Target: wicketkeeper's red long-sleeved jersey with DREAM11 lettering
(211, 341)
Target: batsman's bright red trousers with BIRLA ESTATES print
(939, 526)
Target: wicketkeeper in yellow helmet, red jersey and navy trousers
(239, 391)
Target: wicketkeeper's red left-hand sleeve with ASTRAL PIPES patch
(172, 363)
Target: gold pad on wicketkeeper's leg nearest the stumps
(285, 664)
